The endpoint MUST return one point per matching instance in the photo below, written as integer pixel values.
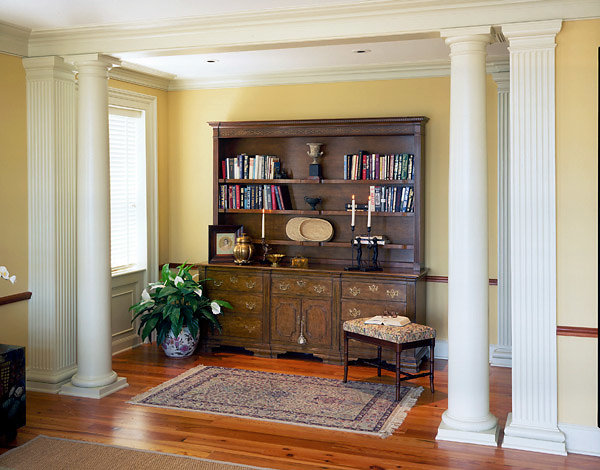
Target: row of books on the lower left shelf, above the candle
(254, 196)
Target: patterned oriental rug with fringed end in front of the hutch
(293, 399)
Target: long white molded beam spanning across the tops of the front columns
(374, 19)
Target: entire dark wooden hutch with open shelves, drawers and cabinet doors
(282, 309)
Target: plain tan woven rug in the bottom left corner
(54, 453)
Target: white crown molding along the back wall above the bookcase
(439, 68)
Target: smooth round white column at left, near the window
(95, 377)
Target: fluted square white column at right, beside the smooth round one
(532, 425)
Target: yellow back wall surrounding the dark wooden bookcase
(190, 163)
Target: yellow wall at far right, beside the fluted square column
(577, 216)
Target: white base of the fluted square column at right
(533, 439)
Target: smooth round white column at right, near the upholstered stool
(468, 418)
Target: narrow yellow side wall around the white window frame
(162, 107)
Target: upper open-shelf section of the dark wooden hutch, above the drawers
(287, 140)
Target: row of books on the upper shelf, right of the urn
(372, 166)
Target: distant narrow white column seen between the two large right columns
(502, 353)
